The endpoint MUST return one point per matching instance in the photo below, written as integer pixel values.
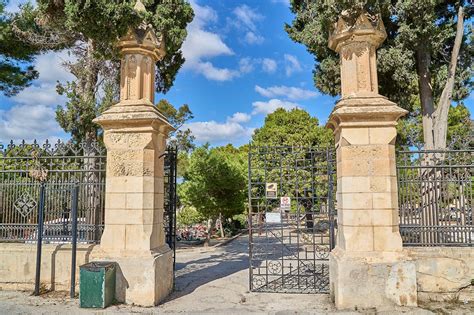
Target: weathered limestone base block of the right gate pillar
(371, 279)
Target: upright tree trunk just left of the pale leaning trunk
(423, 58)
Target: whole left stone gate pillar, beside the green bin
(135, 135)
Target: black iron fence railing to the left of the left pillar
(24, 167)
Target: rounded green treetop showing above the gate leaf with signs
(293, 127)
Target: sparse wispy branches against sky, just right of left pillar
(182, 139)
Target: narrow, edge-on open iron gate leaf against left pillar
(171, 163)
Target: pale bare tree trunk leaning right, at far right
(440, 126)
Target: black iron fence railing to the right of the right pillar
(436, 191)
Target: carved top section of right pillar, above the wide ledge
(356, 41)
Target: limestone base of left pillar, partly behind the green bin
(143, 278)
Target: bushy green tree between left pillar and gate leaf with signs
(215, 181)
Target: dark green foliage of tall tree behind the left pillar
(90, 30)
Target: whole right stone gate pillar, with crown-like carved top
(368, 267)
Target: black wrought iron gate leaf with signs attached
(291, 218)
